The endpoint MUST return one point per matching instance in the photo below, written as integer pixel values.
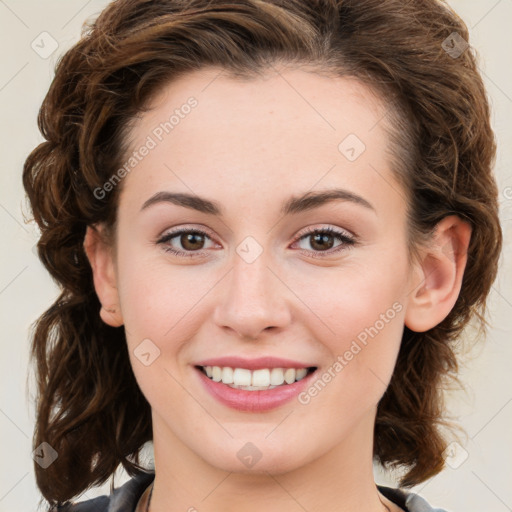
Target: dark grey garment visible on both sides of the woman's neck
(125, 498)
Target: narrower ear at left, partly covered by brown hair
(101, 258)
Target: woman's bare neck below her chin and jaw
(340, 480)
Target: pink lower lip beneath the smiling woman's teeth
(254, 401)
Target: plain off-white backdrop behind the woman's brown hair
(479, 474)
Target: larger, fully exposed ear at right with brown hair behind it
(437, 276)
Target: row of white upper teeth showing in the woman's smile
(265, 378)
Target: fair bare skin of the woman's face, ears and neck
(250, 145)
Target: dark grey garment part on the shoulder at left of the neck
(122, 499)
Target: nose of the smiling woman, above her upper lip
(252, 300)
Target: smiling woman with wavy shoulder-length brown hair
(333, 164)
